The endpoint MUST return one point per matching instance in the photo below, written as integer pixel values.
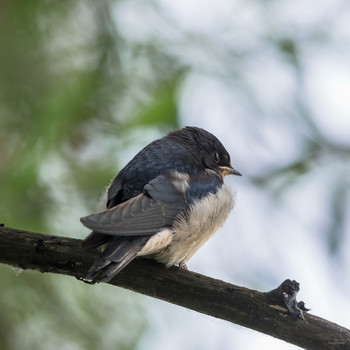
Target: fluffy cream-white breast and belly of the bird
(190, 233)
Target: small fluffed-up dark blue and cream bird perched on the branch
(163, 205)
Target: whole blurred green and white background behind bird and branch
(84, 85)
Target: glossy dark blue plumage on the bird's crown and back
(187, 151)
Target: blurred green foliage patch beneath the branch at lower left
(50, 312)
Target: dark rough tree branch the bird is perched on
(263, 312)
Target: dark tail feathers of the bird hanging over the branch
(119, 252)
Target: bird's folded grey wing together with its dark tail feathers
(127, 227)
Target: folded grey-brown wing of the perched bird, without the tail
(142, 215)
